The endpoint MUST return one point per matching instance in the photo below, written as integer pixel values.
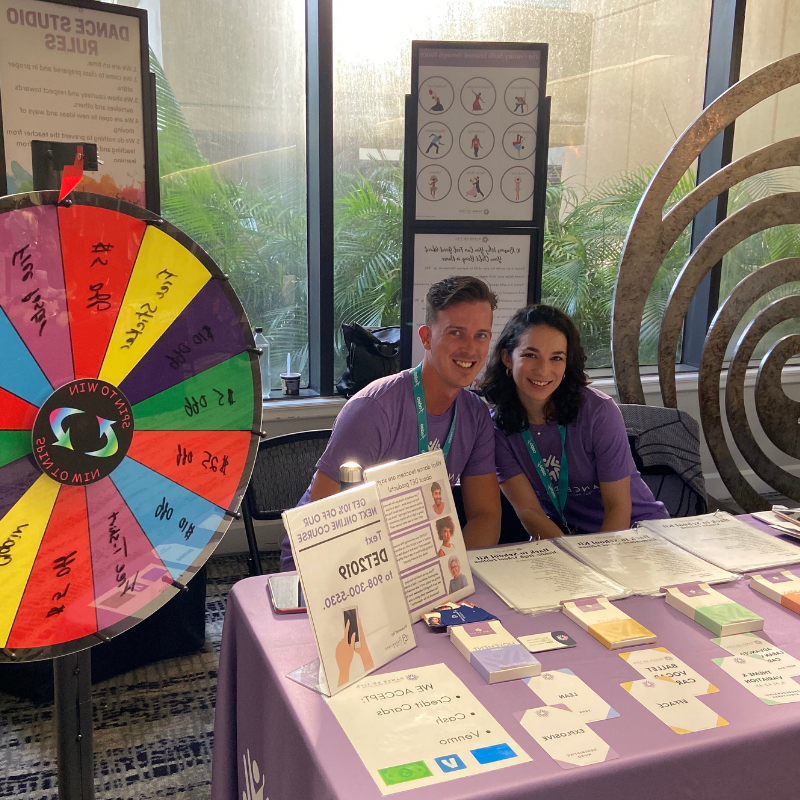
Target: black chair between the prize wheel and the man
(284, 468)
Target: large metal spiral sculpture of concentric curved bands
(649, 240)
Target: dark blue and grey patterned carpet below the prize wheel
(153, 727)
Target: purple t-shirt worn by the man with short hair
(379, 424)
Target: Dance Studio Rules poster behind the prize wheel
(71, 74)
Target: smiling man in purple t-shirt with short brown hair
(381, 422)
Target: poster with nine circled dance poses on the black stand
(477, 128)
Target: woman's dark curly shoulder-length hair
(499, 387)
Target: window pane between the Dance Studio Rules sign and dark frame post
(231, 119)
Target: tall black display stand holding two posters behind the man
(477, 122)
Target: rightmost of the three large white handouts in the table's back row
(723, 540)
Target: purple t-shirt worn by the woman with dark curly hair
(597, 450)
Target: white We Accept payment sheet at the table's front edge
(421, 727)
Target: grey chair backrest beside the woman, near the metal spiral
(665, 444)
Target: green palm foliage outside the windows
(256, 231)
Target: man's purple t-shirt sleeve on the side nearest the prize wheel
(359, 434)
